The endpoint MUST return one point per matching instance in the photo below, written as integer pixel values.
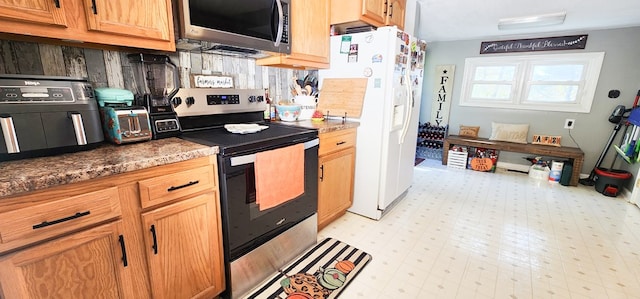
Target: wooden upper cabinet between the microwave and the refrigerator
(310, 30)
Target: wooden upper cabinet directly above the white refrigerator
(349, 13)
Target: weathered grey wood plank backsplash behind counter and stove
(106, 68)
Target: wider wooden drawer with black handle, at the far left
(55, 217)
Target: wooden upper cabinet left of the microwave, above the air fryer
(144, 24)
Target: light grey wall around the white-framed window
(620, 70)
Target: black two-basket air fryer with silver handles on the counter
(47, 115)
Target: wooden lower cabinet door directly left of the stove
(183, 252)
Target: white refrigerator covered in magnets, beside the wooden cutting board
(393, 63)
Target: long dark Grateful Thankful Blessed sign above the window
(535, 44)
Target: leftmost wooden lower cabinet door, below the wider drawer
(87, 264)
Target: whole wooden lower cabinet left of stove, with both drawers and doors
(114, 252)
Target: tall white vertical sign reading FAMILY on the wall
(442, 94)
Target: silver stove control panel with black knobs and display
(206, 101)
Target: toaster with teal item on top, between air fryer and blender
(121, 122)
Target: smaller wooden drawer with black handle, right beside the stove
(168, 187)
